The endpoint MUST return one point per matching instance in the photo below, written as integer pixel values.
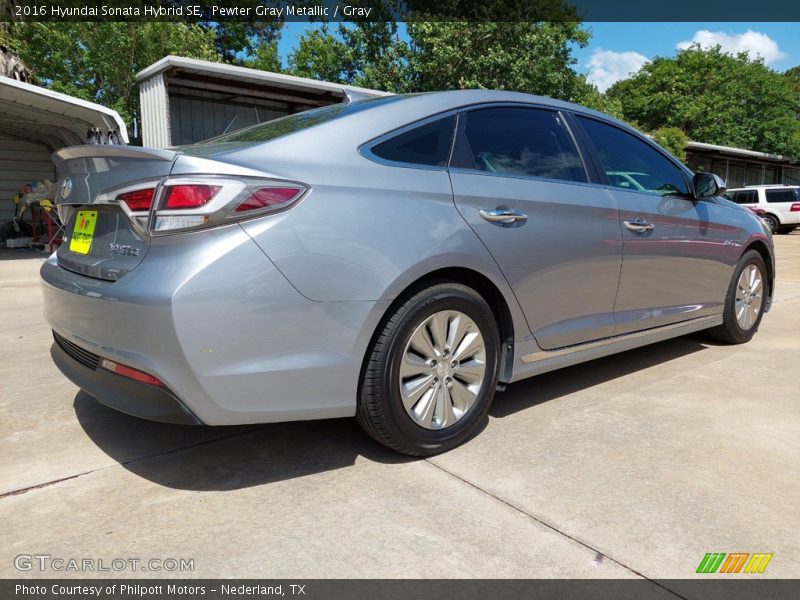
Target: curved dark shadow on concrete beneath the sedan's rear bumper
(226, 458)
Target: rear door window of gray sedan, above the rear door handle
(519, 141)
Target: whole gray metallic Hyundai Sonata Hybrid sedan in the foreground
(398, 259)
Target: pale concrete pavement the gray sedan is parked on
(631, 466)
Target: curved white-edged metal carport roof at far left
(30, 112)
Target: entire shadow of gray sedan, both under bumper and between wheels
(228, 458)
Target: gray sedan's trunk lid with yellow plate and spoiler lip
(100, 239)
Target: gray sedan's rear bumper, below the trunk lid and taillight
(212, 318)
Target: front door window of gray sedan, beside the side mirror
(632, 164)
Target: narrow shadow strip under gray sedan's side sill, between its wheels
(548, 386)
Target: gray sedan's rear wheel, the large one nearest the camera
(431, 371)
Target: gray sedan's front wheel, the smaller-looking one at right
(744, 302)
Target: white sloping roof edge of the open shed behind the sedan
(253, 76)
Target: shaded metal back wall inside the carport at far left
(21, 162)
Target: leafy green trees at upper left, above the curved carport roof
(99, 61)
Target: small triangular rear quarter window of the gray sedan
(427, 144)
